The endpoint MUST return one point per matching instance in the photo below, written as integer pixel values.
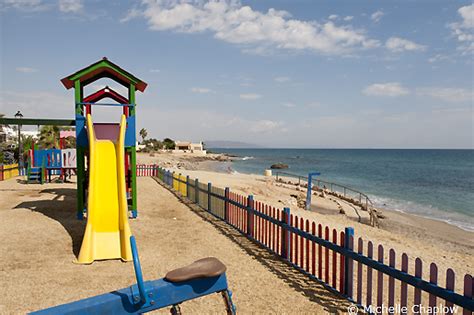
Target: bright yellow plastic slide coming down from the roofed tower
(107, 234)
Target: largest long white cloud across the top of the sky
(256, 32)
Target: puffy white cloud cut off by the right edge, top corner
(464, 30)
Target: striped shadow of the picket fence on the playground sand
(332, 302)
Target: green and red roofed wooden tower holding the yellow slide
(84, 105)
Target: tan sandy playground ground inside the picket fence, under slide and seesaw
(41, 238)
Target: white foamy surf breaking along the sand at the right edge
(462, 221)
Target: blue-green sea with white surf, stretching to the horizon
(432, 183)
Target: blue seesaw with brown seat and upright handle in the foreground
(203, 277)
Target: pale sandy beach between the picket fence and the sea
(431, 240)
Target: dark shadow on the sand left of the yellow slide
(62, 208)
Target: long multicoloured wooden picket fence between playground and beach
(370, 276)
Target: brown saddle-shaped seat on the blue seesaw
(202, 268)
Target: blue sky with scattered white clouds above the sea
(299, 73)
